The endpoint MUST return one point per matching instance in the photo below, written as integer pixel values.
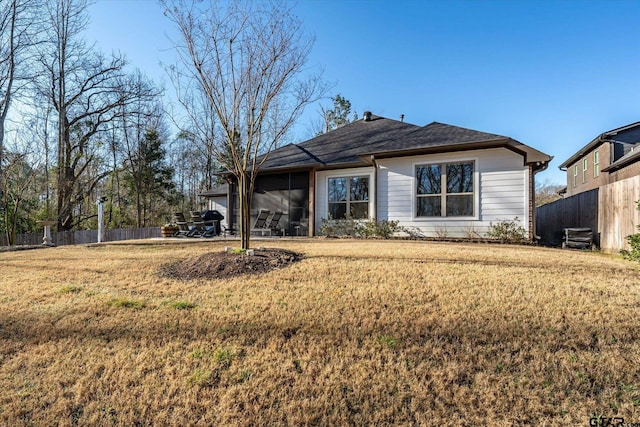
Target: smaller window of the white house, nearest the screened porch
(349, 195)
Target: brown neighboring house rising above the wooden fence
(612, 156)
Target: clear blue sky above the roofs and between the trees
(551, 74)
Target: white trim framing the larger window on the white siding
(476, 190)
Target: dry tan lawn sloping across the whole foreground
(358, 333)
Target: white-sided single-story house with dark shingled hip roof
(436, 180)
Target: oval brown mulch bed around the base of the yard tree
(221, 265)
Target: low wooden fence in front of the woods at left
(85, 236)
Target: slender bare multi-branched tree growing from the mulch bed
(247, 60)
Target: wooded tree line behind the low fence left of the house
(76, 124)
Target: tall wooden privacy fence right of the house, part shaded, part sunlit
(610, 211)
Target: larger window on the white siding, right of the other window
(444, 190)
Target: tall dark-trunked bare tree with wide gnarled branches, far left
(86, 90)
